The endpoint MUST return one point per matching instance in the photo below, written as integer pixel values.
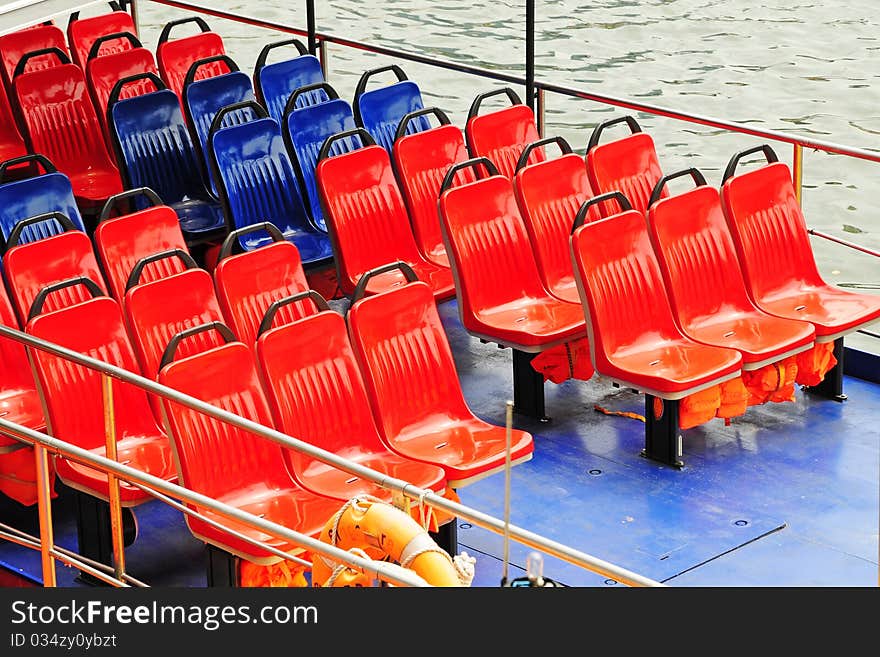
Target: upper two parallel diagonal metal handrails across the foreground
(405, 488)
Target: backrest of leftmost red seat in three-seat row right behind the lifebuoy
(213, 457)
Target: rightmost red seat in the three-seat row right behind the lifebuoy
(414, 390)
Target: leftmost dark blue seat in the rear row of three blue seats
(154, 150)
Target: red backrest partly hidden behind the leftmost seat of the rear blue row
(104, 72)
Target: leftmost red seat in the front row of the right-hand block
(634, 338)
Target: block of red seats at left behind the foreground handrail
(287, 361)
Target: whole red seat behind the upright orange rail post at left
(74, 399)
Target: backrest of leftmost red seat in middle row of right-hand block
(486, 240)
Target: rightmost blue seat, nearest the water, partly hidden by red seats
(380, 110)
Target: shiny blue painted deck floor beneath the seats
(787, 495)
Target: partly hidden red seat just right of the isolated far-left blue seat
(124, 241)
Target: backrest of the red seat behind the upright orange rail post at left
(72, 392)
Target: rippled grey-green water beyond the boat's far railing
(808, 68)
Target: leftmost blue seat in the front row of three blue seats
(257, 184)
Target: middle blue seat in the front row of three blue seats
(305, 131)
